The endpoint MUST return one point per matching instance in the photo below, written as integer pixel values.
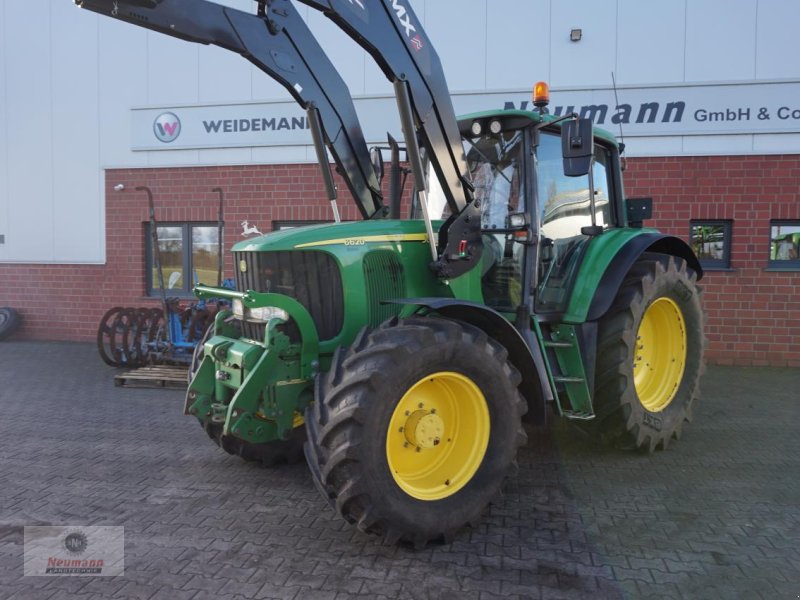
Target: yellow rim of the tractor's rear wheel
(660, 356)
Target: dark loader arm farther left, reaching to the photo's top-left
(281, 45)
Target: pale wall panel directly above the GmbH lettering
(720, 40)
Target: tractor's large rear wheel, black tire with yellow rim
(649, 356)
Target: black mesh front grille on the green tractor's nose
(310, 277)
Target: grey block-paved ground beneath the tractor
(715, 516)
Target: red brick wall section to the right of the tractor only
(753, 314)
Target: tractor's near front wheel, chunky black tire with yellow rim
(414, 428)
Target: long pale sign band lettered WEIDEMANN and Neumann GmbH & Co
(720, 109)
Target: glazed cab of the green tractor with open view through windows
(537, 207)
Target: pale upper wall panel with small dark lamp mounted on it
(591, 60)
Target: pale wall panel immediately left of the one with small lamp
(517, 43)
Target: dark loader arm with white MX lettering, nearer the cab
(391, 33)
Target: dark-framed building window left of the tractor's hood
(184, 248)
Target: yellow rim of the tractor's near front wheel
(437, 436)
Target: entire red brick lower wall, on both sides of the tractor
(753, 314)
